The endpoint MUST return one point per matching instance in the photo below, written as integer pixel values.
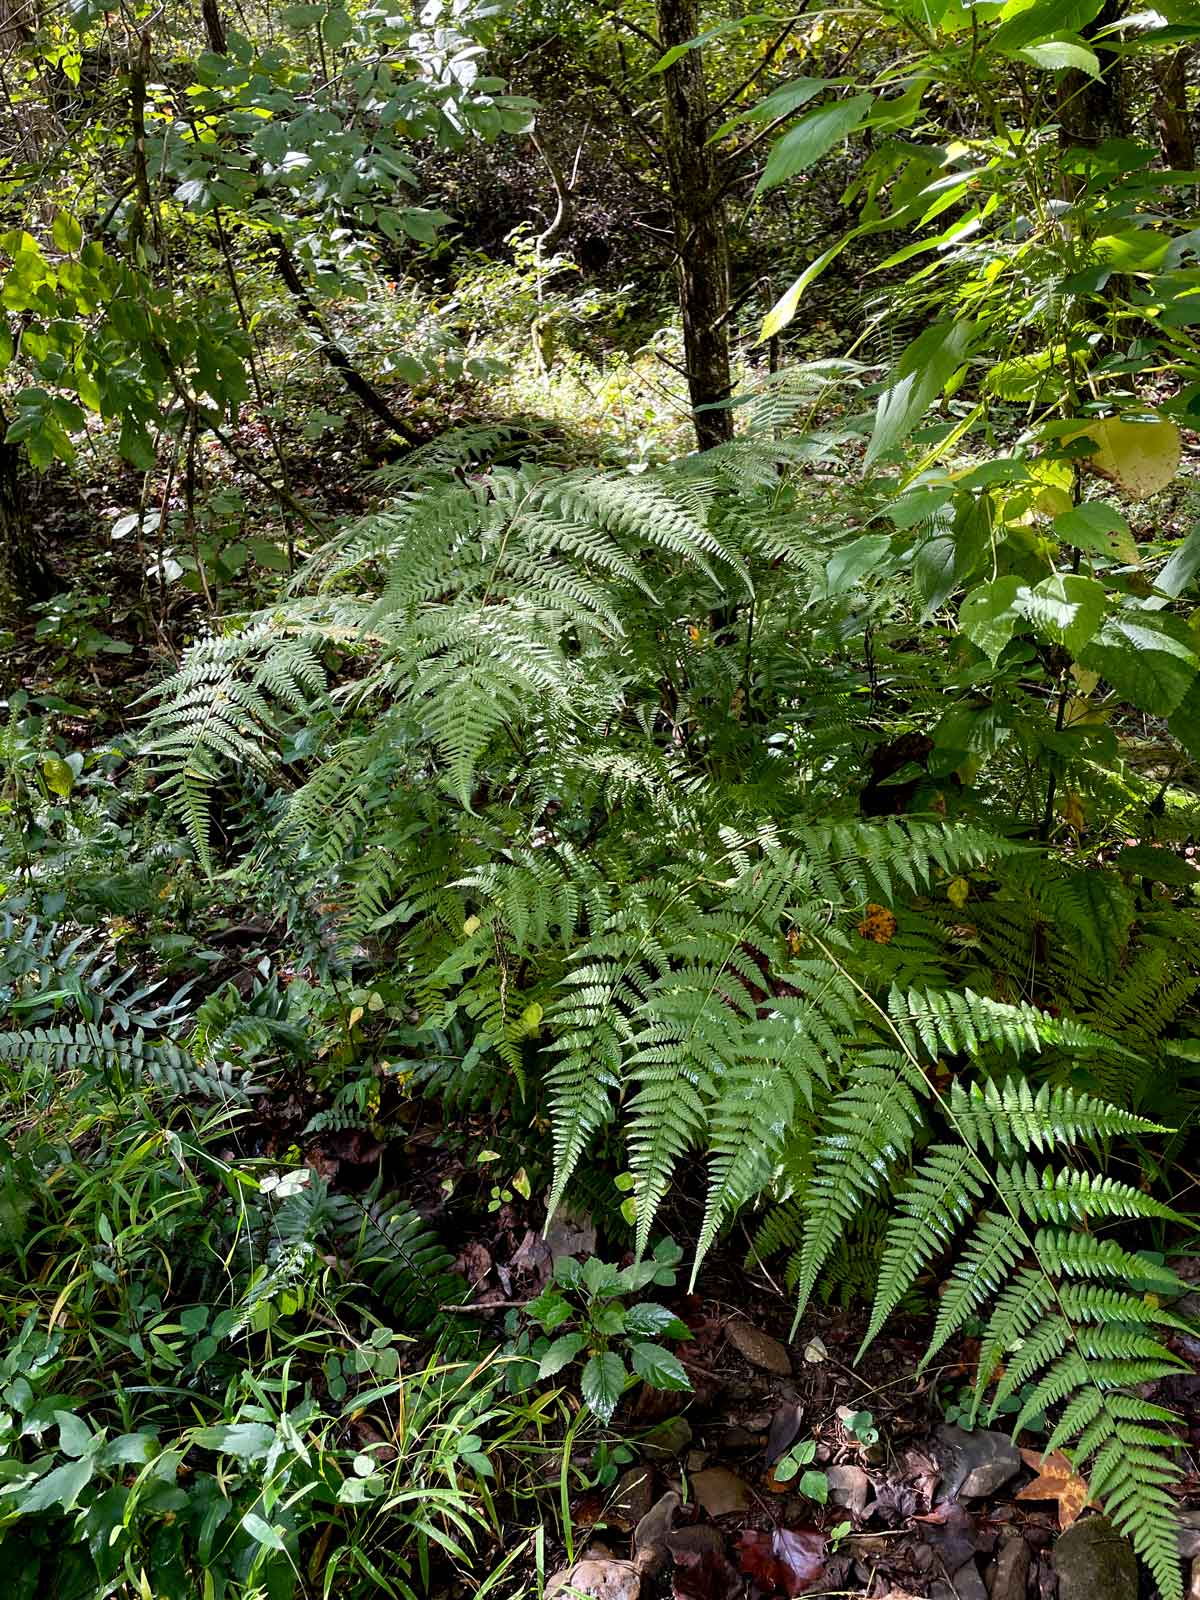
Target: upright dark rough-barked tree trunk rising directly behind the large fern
(698, 214)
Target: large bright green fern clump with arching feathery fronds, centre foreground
(614, 847)
